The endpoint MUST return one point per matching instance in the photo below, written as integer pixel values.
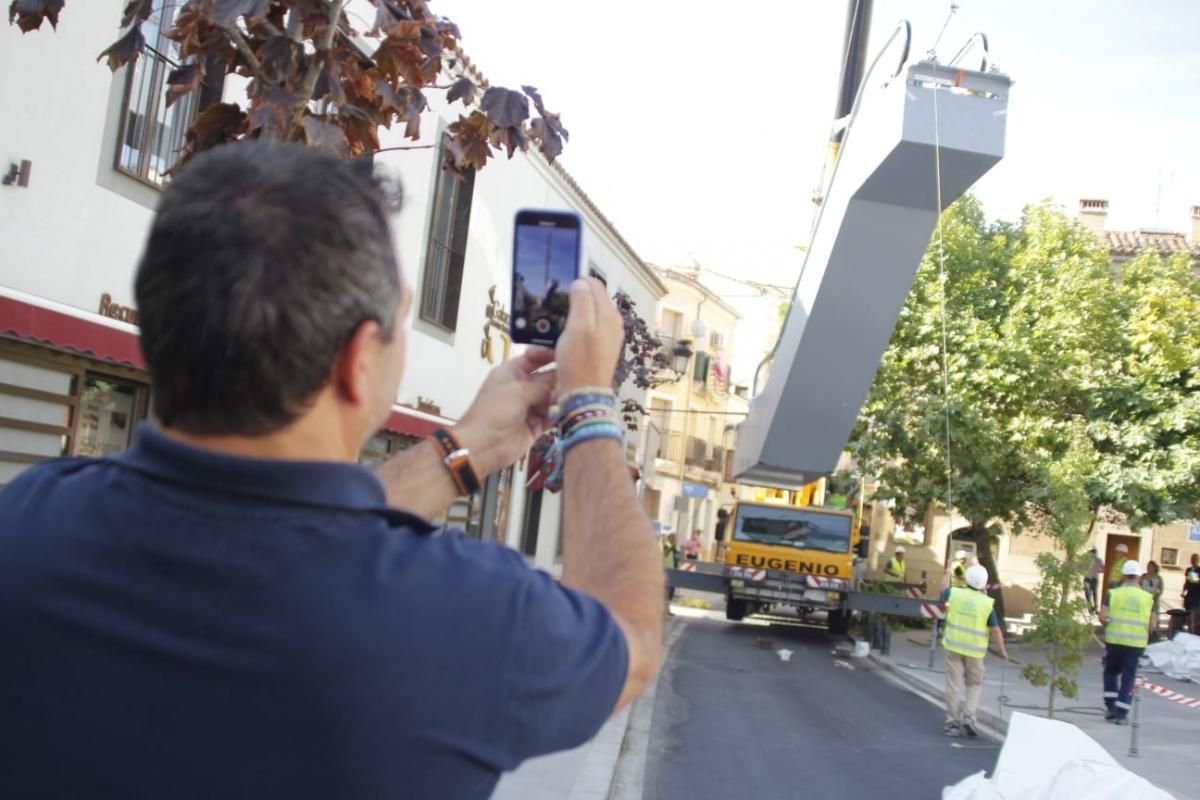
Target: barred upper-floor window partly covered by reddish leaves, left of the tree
(152, 134)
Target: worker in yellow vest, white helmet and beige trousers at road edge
(970, 617)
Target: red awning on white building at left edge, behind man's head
(67, 333)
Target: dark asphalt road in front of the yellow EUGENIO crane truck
(734, 721)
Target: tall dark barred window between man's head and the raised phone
(447, 252)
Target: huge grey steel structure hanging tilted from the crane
(913, 147)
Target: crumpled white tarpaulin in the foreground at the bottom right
(1047, 760)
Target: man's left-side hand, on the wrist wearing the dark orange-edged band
(511, 412)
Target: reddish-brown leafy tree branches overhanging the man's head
(315, 79)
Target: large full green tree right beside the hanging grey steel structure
(967, 410)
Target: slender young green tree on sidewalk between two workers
(1060, 613)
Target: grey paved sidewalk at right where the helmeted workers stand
(1169, 737)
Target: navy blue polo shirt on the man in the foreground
(181, 624)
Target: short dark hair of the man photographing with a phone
(263, 261)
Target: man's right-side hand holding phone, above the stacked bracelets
(592, 342)
